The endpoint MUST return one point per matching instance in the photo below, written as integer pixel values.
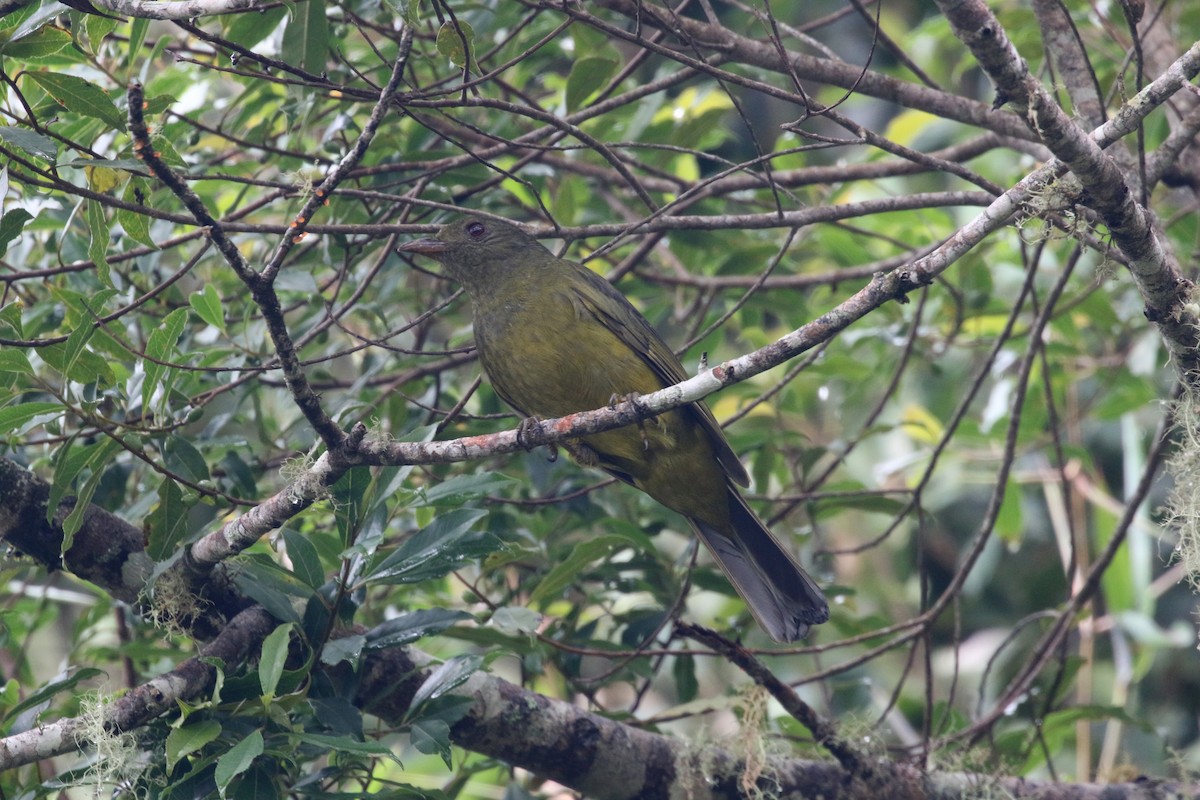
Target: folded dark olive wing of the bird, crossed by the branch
(639, 336)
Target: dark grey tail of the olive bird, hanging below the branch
(781, 596)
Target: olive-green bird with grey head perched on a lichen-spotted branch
(556, 339)
